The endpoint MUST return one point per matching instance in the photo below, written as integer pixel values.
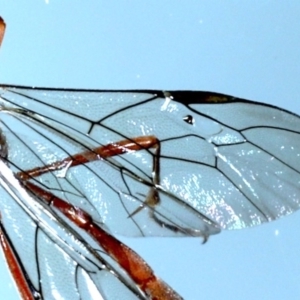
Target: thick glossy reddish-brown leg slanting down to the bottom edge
(140, 272)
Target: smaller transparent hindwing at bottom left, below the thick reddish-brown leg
(56, 262)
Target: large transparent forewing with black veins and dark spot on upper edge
(233, 166)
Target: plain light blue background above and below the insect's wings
(248, 49)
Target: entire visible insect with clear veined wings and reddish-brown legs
(78, 166)
